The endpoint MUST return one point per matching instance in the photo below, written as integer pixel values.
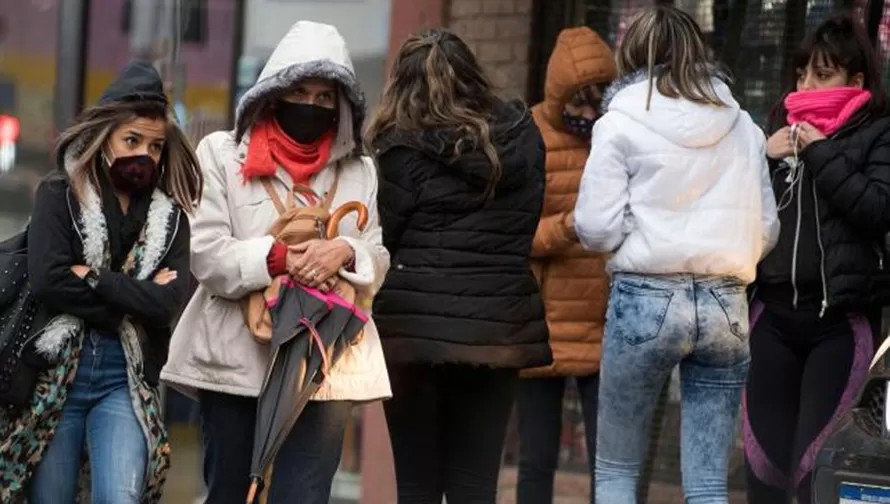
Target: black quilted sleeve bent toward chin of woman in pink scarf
(861, 192)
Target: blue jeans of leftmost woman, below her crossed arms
(98, 412)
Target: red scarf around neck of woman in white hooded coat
(270, 148)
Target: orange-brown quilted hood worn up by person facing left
(580, 59)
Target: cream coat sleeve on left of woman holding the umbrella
(226, 266)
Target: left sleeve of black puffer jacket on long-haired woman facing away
(396, 194)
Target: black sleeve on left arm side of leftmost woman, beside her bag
(51, 253)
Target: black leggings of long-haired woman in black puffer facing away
(447, 424)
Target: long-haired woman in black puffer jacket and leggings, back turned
(462, 182)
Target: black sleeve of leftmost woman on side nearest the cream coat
(153, 304)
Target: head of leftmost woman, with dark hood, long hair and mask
(130, 138)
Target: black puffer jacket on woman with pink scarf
(839, 260)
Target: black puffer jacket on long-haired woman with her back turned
(460, 289)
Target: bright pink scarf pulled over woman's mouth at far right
(826, 109)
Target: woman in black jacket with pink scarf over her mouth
(814, 321)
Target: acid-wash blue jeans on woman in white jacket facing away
(654, 323)
